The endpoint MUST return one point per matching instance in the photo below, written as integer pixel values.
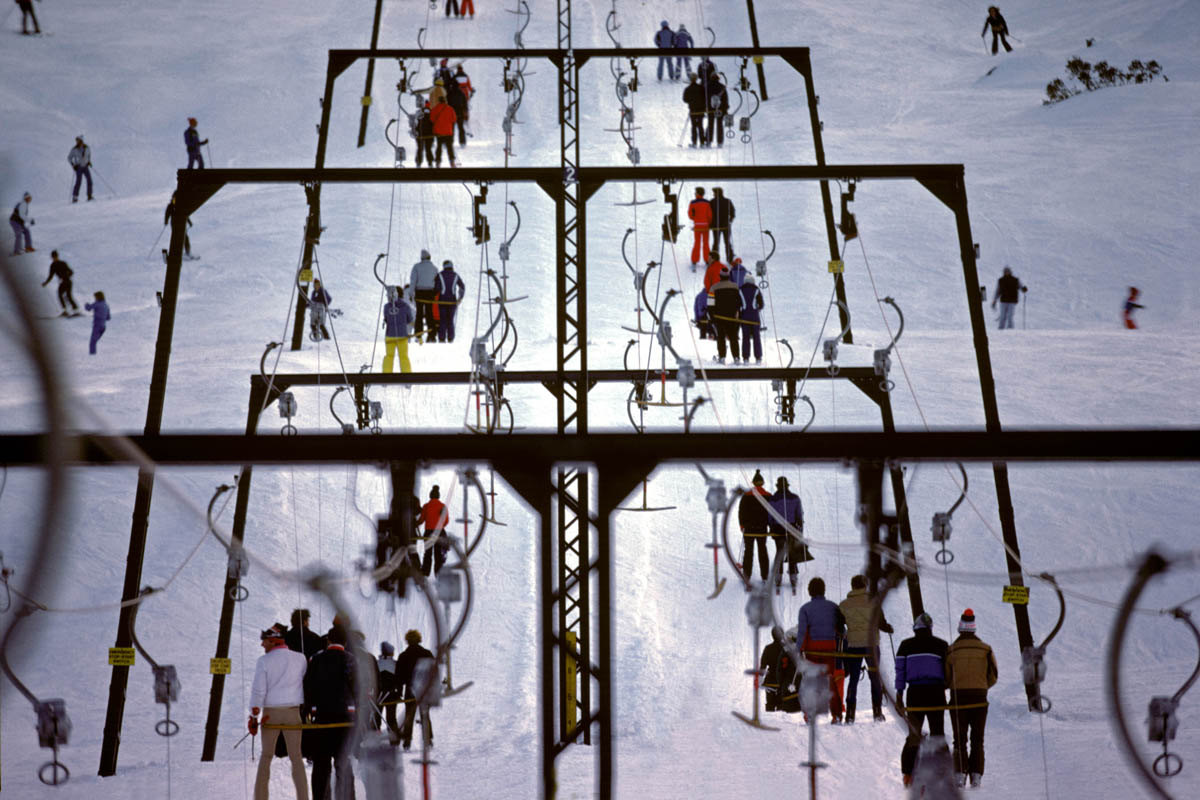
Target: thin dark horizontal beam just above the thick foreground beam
(283, 381)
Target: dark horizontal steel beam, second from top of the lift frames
(197, 178)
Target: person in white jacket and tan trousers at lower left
(278, 693)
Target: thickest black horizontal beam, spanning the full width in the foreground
(531, 450)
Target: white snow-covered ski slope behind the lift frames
(1082, 200)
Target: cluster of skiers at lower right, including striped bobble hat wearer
(836, 639)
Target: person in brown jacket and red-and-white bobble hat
(970, 672)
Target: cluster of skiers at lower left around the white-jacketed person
(304, 702)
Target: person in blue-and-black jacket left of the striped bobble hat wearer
(921, 666)
